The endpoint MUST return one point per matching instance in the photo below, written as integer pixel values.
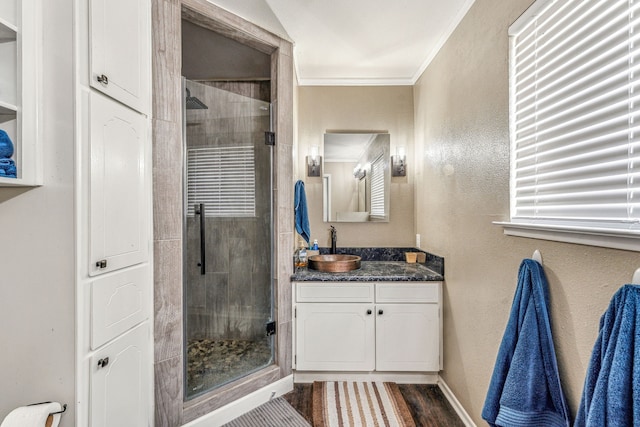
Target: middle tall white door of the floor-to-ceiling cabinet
(119, 200)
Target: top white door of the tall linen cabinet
(121, 50)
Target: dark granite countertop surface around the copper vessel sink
(372, 271)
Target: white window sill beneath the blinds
(617, 239)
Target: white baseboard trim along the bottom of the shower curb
(244, 404)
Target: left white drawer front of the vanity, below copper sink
(334, 292)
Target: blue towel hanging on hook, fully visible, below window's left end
(525, 387)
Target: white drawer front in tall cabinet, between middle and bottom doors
(118, 303)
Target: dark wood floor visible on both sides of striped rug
(426, 402)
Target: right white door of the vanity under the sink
(407, 337)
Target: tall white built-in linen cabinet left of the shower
(113, 148)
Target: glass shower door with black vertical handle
(228, 235)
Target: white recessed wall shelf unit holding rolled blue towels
(20, 89)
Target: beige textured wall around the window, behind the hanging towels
(462, 185)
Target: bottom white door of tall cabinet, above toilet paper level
(120, 381)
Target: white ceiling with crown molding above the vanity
(357, 42)
